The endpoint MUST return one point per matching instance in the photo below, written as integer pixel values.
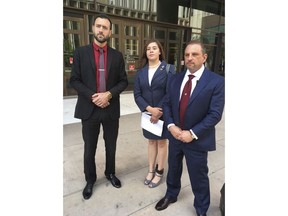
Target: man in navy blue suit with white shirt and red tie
(192, 126)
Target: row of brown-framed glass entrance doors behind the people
(128, 36)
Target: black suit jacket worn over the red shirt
(83, 80)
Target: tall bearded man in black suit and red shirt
(99, 76)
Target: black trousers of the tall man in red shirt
(90, 133)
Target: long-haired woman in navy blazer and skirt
(150, 88)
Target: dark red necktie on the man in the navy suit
(185, 98)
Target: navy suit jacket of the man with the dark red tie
(204, 109)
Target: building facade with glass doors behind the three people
(172, 22)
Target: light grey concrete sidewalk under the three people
(133, 198)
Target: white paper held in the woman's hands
(152, 128)
